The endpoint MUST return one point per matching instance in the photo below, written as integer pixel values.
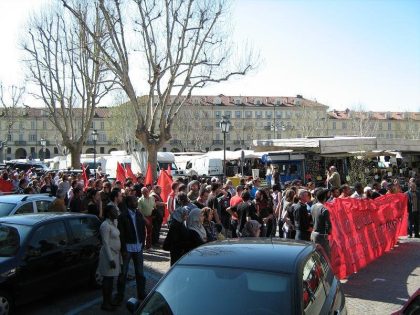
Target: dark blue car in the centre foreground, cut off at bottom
(253, 276)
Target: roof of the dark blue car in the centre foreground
(273, 255)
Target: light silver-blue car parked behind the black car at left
(22, 204)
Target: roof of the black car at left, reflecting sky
(35, 218)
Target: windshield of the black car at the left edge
(12, 237)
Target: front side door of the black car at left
(44, 263)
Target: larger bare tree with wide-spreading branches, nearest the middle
(184, 47)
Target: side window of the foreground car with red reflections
(313, 288)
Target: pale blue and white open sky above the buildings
(342, 53)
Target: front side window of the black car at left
(48, 237)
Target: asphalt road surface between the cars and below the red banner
(380, 288)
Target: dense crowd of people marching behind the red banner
(200, 211)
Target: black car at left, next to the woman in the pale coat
(42, 253)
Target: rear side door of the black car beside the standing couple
(84, 245)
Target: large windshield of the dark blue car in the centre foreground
(191, 290)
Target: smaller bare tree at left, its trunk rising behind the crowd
(64, 63)
